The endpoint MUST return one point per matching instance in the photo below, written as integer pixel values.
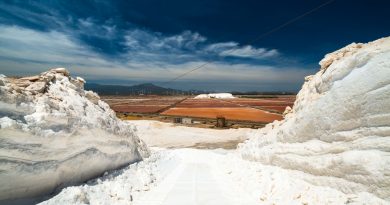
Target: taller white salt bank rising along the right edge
(338, 133)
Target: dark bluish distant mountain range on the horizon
(141, 89)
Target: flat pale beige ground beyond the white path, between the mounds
(168, 135)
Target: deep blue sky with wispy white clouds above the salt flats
(130, 42)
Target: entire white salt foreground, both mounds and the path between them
(331, 148)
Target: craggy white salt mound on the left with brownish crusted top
(54, 134)
